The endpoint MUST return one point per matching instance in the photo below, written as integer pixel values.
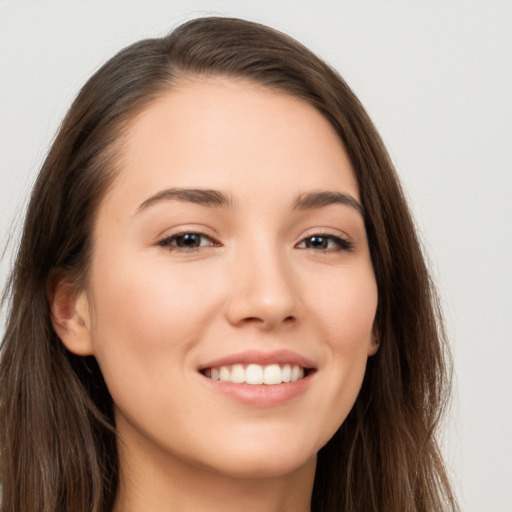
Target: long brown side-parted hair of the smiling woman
(57, 434)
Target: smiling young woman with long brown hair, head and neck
(219, 301)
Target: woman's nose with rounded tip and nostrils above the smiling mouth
(262, 290)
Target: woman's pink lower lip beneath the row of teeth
(261, 395)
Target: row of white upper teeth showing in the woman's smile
(256, 374)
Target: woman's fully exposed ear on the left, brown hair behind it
(70, 315)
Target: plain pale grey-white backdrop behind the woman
(435, 77)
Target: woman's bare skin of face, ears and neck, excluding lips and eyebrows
(152, 313)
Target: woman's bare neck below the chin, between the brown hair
(162, 483)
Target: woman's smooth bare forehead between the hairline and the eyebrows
(231, 135)
